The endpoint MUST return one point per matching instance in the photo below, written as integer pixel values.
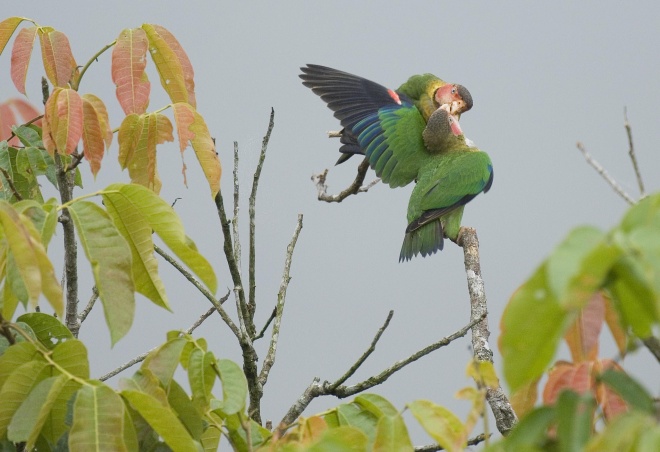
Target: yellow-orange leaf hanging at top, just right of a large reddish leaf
(168, 65)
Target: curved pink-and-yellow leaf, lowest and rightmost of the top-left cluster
(191, 128)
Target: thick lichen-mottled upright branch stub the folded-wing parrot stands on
(505, 417)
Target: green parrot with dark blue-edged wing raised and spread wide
(383, 124)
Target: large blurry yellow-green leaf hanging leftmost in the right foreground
(533, 323)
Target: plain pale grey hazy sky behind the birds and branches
(542, 76)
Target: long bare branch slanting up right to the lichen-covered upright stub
(317, 389)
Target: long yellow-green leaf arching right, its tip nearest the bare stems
(166, 223)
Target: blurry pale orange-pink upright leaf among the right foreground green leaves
(582, 336)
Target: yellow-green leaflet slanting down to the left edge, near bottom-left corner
(17, 388)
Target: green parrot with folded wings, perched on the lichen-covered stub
(448, 181)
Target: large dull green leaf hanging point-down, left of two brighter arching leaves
(110, 257)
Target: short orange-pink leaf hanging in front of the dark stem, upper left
(64, 118)
